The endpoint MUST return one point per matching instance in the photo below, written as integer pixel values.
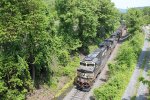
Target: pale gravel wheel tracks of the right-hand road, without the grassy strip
(132, 86)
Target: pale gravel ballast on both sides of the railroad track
(101, 79)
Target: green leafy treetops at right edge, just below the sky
(136, 17)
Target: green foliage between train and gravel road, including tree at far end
(121, 69)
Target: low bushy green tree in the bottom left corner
(17, 82)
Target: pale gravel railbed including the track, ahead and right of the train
(101, 79)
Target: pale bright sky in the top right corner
(124, 4)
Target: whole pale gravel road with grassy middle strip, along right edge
(135, 89)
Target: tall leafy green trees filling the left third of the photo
(25, 41)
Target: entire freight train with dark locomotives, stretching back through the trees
(92, 65)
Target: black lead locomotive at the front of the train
(90, 67)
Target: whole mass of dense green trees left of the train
(39, 40)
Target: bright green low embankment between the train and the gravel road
(121, 69)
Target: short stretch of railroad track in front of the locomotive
(78, 95)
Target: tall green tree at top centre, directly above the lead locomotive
(78, 21)
